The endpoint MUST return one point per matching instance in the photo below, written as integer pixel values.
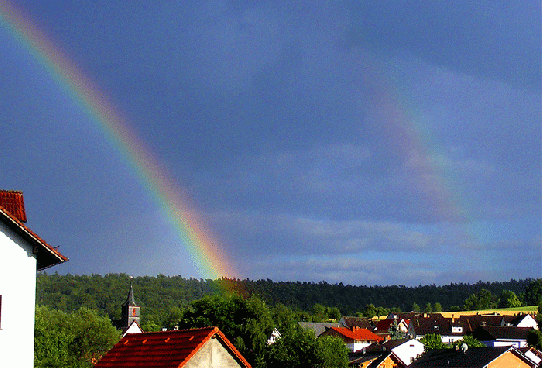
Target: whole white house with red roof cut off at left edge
(22, 253)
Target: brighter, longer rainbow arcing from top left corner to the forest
(203, 247)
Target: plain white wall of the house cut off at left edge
(18, 291)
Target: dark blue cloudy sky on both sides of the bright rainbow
(390, 142)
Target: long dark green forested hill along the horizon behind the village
(158, 295)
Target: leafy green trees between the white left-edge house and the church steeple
(74, 339)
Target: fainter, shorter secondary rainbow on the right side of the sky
(412, 140)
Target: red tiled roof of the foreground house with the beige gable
(165, 349)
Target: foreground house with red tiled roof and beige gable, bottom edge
(197, 348)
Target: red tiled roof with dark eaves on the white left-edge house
(46, 255)
